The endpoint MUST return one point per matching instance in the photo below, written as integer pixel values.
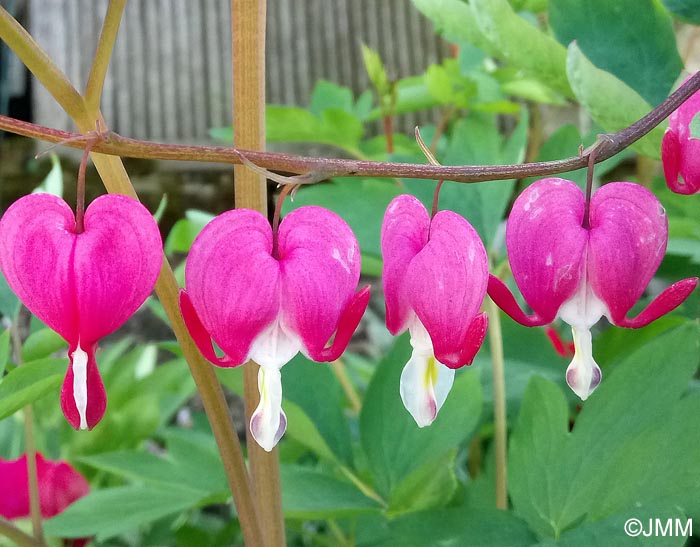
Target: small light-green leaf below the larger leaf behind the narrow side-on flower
(430, 486)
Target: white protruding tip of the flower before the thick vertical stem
(269, 422)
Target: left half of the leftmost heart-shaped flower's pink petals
(36, 246)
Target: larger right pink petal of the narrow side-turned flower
(445, 284)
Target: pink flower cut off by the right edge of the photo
(680, 148)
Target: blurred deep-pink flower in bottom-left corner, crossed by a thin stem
(59, 486)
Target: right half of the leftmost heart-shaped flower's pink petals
(116, 264)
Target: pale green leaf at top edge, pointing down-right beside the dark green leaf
(522, 44)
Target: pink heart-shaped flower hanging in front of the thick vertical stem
(266, 300)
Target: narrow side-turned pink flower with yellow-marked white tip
(435, 277)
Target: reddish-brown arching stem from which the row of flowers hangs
(324, 168)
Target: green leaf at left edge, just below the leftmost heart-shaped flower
(28, 383)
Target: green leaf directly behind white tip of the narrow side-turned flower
(393, 443)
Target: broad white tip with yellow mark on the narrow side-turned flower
(425, 383)
